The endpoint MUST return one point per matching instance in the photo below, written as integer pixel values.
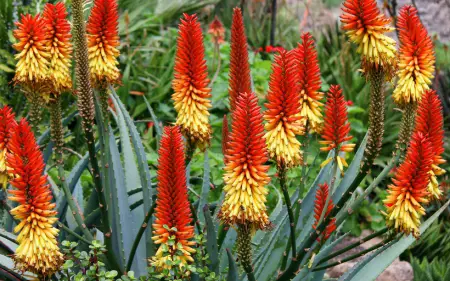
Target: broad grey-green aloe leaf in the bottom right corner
(382, 260)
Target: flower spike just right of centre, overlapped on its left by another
(309, 79)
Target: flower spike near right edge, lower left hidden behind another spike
(430, 122)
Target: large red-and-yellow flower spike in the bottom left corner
(38, 250)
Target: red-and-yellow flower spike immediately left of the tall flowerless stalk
(58, 34)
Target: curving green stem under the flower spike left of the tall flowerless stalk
(57, 132)
